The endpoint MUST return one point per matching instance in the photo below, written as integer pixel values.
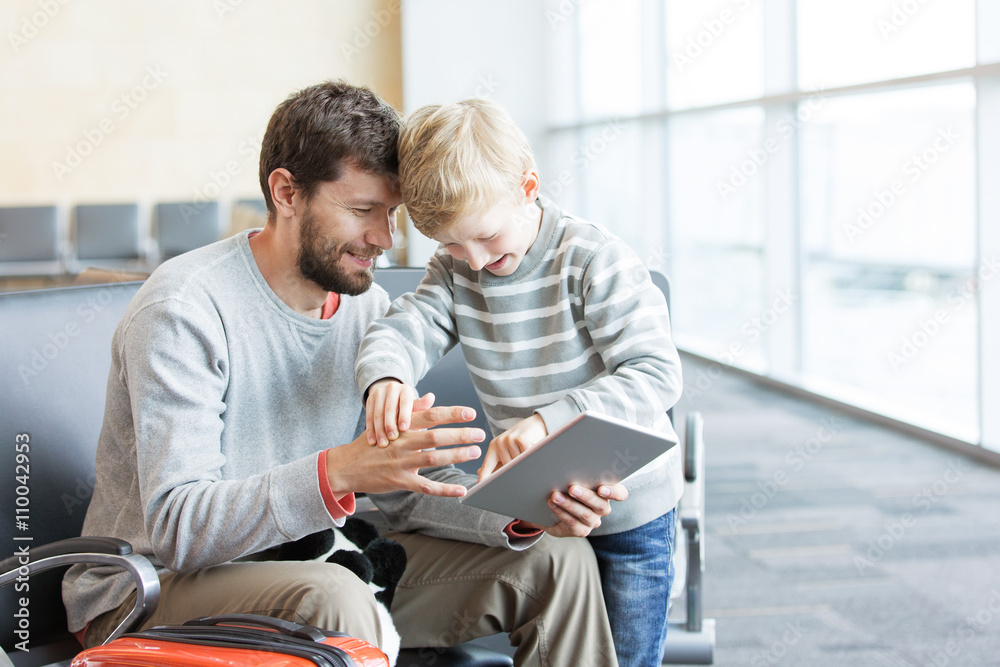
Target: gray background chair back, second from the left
(107, 235)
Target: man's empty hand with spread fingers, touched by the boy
(359, 467)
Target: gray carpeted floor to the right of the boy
(832, 541)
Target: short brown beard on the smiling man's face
(319, 261)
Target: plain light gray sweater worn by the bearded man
(220, 399)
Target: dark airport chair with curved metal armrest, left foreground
(55, 360)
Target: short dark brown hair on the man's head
(317, 130)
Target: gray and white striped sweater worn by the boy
(578, 326)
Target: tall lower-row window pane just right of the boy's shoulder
(717, 232)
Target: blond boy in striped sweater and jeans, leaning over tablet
(555, 316)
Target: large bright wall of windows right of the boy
(810, 175)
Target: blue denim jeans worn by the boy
(636, 574)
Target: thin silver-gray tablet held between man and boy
(589, 450)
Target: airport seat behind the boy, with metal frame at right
(689, 641)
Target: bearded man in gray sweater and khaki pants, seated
(230, 398)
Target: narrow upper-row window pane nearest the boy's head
(610, 58)
